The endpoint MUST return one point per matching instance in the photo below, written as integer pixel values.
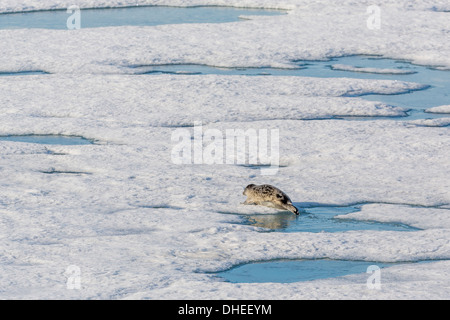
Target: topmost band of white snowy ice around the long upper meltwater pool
(312, 30)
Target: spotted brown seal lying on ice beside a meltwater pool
(269, 196)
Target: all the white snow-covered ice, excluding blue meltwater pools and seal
(138, 226)
